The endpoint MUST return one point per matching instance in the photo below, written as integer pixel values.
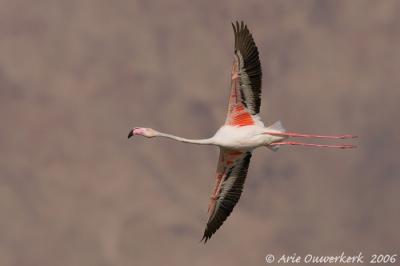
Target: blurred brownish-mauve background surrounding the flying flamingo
(76, 76)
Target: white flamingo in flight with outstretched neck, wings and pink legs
(242, 132)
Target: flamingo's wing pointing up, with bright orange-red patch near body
(245, 96)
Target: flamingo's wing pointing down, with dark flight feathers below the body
(231, 174)
